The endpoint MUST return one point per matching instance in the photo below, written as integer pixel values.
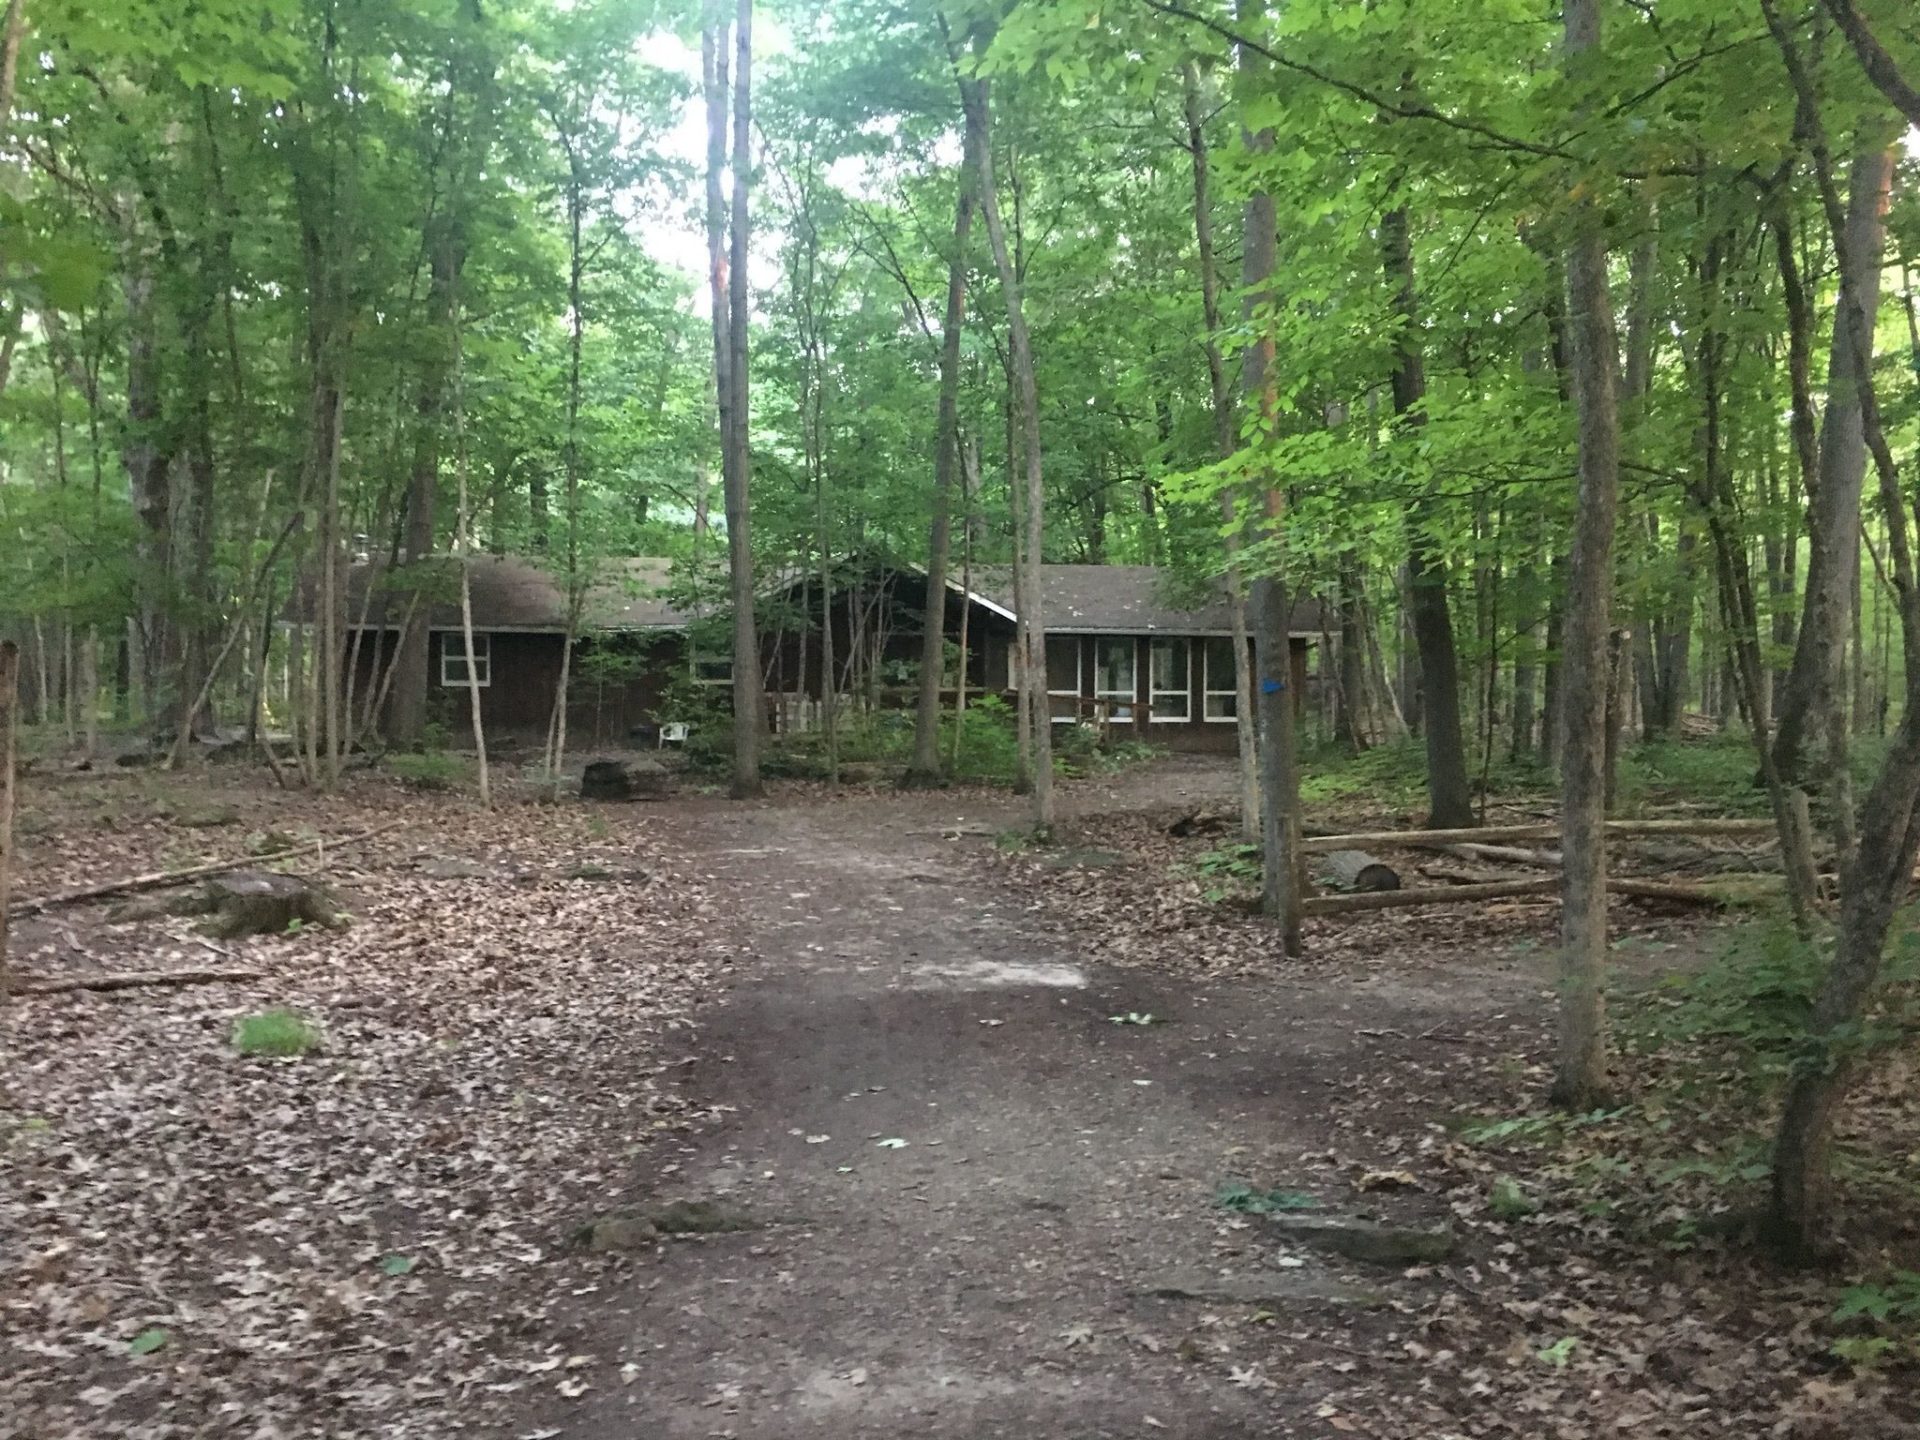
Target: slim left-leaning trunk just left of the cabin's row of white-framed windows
(1028, 418)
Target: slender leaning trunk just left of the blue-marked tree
(1226, 443)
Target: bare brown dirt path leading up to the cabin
(992, 1276)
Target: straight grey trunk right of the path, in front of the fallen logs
(1581, 1074)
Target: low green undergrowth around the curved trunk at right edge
(1685, 1161)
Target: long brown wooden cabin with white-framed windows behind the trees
(1120, 654)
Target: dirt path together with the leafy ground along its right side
(974, 1191)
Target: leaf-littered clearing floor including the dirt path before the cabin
(971, 1205)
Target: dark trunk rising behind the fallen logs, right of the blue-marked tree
(1451, 796)
